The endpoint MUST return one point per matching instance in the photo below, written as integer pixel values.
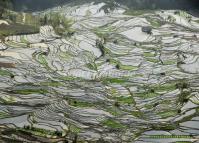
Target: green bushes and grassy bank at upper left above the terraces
(26, 23)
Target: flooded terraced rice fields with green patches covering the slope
(120, 77)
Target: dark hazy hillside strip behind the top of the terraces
(31, 5)
